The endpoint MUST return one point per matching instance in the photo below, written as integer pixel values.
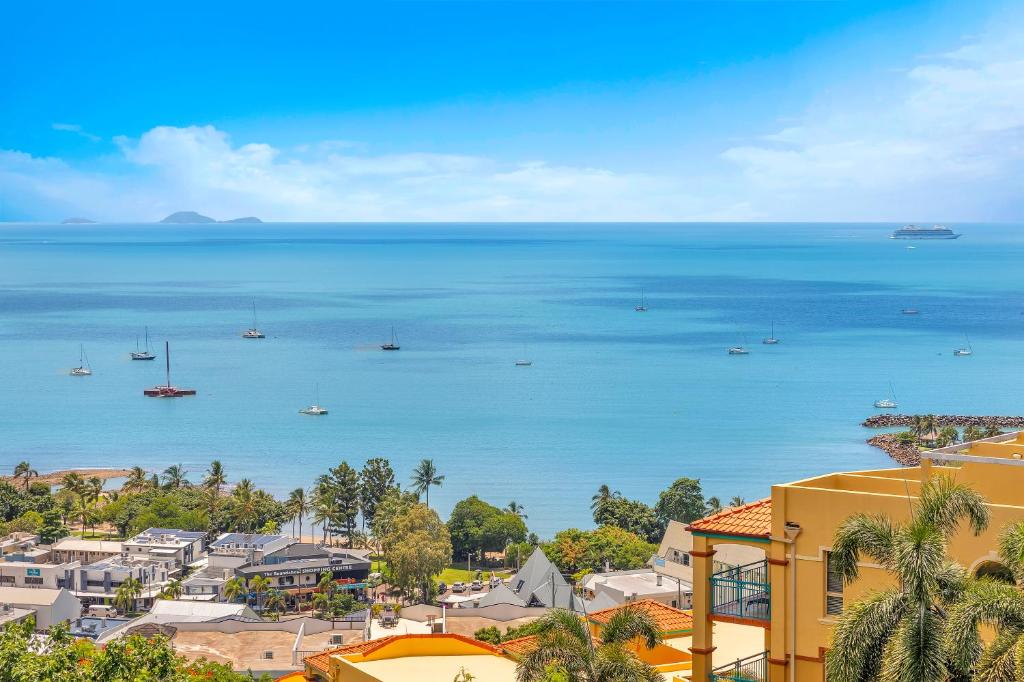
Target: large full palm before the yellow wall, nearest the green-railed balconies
(898, 634)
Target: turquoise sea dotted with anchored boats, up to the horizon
(614, 397)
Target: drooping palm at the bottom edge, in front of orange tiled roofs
(565, 640)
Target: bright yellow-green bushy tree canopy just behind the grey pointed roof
(574, 550)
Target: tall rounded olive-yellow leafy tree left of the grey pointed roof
(417, 547)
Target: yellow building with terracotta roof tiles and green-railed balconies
(791, 592)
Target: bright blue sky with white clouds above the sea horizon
(514, 111)
